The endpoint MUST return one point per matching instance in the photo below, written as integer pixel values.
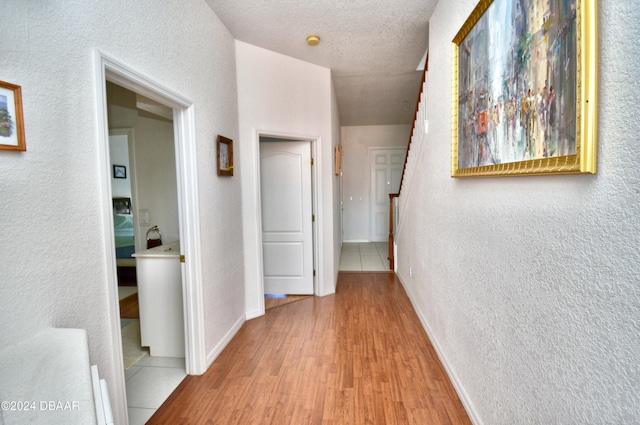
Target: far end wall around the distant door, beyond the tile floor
(356, 141)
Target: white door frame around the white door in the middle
(315, 178)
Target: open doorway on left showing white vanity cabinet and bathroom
(144, 190)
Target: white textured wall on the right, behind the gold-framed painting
(530, 286)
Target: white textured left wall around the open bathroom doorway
(53, 266)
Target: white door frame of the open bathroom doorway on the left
(107, 68)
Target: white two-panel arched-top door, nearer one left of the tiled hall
(287, 239)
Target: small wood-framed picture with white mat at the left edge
(11, 120)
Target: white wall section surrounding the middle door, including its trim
(282, 96)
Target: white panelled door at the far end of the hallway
(386, 171)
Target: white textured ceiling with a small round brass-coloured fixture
(373, 47)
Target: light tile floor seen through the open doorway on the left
(151, 380)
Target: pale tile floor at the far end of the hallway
(364, 256)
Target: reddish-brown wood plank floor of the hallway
(360, 356)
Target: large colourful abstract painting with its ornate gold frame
(525, 89)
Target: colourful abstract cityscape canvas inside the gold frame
(517, 83)
